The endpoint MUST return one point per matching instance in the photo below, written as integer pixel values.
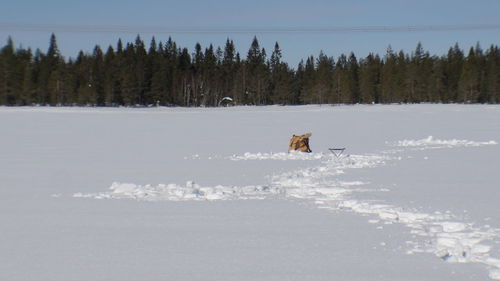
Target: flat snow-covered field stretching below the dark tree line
(211, 194)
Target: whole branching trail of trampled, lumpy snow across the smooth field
(441, 233)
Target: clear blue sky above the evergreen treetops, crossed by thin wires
(256, 14)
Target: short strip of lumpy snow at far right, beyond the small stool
(430, 142)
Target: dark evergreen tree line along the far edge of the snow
(165, 74)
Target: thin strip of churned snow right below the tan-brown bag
(292, 155)
